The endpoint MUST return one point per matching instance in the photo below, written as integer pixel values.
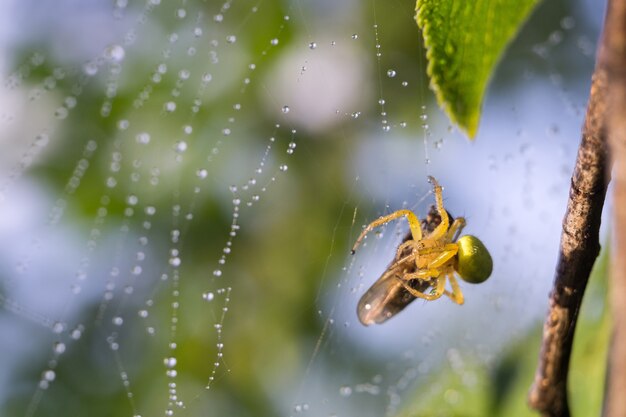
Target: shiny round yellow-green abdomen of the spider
(474, 263)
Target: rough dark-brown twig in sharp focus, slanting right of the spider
(578, 251)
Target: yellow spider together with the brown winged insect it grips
(430, 254)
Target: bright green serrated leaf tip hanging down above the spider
(464, 40)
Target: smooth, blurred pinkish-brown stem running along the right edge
(613, 58)
